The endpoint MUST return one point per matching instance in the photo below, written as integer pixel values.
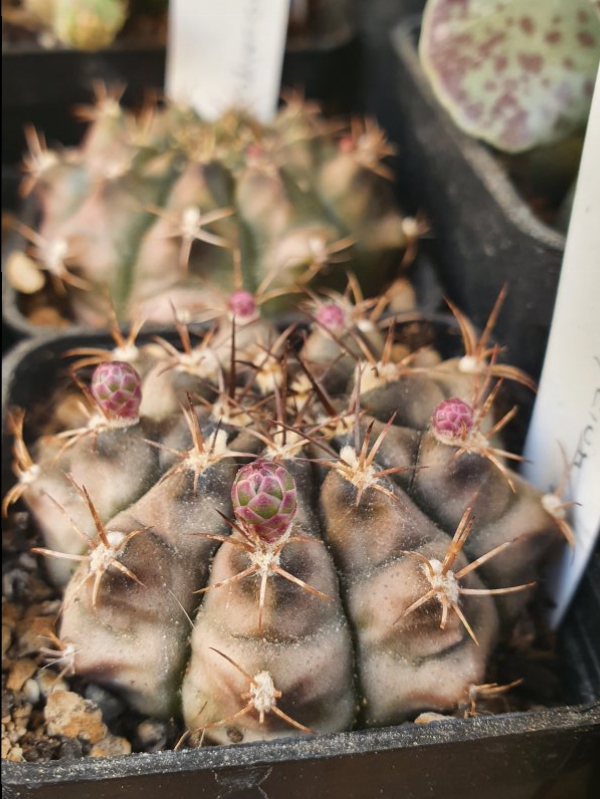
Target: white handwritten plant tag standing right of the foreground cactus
(566, 416)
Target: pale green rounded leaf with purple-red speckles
(515, 73)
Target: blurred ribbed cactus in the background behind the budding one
(163, 209)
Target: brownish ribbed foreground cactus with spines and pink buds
(264, 533)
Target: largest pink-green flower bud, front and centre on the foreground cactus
(264, 498)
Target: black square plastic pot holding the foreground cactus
(540, 754)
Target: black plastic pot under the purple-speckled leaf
(485, 233)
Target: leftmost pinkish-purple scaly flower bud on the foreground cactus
(116, 387)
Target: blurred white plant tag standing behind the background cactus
(224, 54)
